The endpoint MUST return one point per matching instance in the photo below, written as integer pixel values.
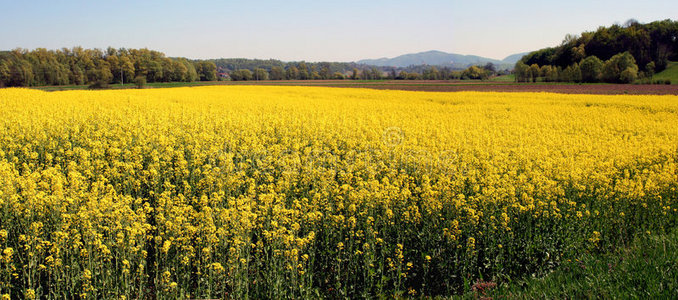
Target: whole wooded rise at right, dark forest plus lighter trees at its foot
(615, 54)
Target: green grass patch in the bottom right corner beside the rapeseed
(647, 268)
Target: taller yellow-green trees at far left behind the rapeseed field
(77, 66)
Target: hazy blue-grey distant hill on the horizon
(440, 58)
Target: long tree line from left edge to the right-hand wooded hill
(98, 68)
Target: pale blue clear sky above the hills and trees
(294, 30)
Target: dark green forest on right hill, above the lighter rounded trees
(655, 42)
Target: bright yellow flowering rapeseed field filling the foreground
(301, 192)
